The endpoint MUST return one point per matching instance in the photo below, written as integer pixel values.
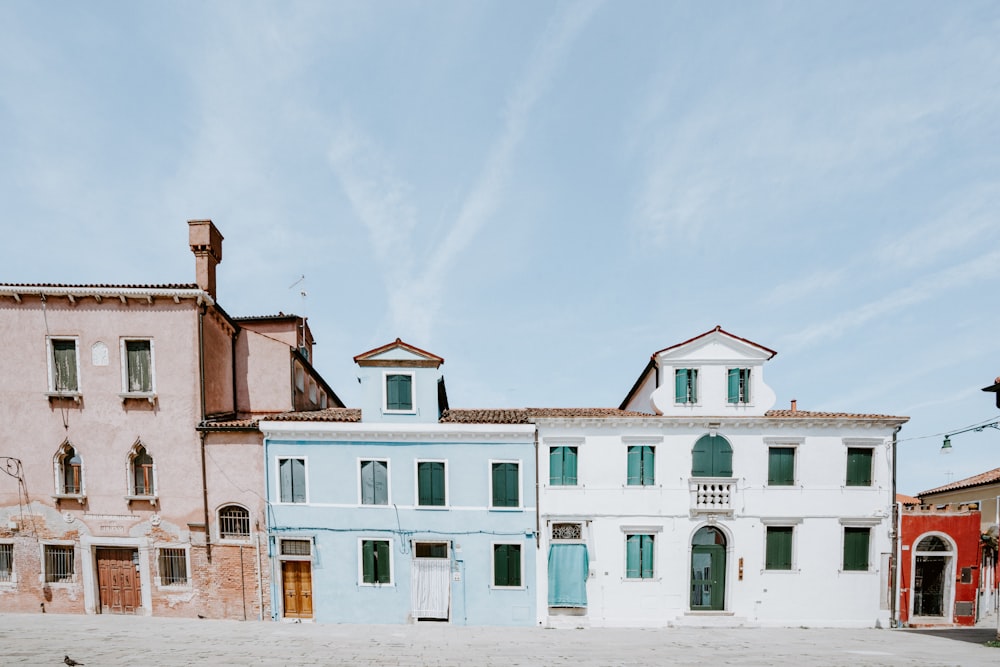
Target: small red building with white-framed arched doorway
(940, 558)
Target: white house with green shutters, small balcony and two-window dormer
(697, 503)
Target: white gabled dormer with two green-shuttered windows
(714, 374)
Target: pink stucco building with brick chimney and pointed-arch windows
(129, 442)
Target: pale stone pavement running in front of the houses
(97, 641)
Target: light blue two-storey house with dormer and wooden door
(389, 514)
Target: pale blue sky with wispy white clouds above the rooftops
(543, 193)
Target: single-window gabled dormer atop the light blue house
(401, 383)
